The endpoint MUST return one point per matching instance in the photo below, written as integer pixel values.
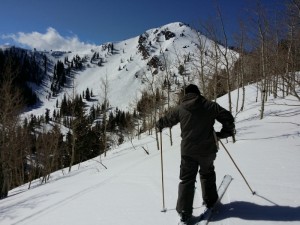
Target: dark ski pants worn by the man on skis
(188, 174)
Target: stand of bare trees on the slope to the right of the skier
(267, 47)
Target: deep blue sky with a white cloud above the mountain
(56, 23)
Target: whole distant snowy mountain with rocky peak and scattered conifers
(172, 53)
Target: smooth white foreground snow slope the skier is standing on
(129, 191)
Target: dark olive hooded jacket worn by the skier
(197, 116)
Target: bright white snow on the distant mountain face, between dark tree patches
(126, 66)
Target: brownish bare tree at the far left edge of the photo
(11, 106)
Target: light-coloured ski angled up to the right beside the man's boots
(205, 217)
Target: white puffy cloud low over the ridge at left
(51, 40)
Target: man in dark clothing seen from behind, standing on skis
(197, 116)
